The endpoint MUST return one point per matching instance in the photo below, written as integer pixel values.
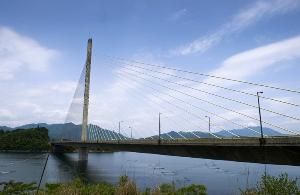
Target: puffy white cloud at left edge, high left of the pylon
(18, 52)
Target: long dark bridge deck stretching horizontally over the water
(274, 150)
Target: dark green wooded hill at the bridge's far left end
(34, 139)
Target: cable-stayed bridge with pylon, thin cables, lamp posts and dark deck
(266, 149)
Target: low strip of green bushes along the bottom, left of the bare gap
(77, 187)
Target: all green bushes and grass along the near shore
(269, 185)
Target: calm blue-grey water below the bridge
(148, 170)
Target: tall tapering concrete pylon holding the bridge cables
(86, 91)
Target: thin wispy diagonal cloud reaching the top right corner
(239, 22)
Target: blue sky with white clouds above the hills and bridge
(43, 51)
